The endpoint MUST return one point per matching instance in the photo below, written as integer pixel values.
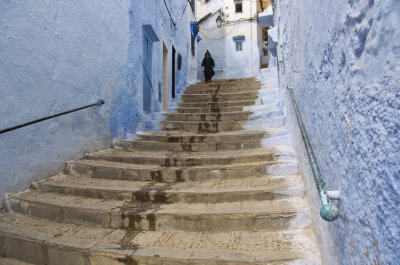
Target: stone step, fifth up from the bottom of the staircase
(173, 159)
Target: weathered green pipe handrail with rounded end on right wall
(329, 212)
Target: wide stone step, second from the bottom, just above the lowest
(270, 215)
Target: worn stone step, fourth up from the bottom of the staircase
(116, 170)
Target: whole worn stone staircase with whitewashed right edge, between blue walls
(218, 185)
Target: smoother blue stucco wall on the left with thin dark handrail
(59, 55)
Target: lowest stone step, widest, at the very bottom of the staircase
(46, 242)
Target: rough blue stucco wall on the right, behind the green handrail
(342, 59)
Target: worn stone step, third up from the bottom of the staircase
(211, 191)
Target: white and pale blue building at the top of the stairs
(235, 45)
